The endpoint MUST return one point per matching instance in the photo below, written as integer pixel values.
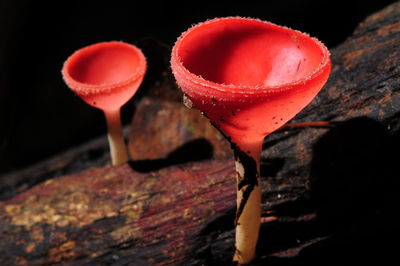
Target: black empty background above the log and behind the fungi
(40, 116)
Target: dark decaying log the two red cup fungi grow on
(329, 189)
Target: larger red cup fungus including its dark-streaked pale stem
(249, 77)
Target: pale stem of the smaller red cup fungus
(116, 140)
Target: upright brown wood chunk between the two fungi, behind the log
(166, 126)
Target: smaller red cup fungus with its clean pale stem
(106, 75)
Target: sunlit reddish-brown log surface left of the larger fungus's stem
(107, 213)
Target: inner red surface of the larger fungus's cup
(249, 53)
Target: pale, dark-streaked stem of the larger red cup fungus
(248, 213)
